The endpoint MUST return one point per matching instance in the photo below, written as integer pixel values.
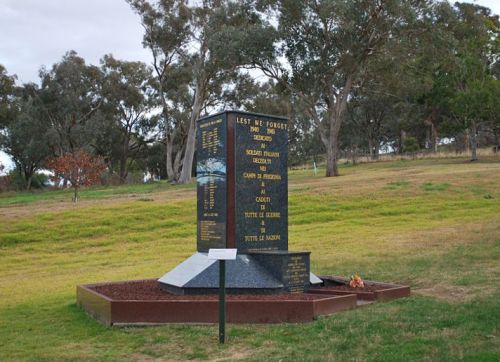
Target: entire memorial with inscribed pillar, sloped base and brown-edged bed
(243, 205)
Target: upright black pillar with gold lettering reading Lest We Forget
(242, 182)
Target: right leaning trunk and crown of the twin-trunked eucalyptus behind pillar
(229, 35)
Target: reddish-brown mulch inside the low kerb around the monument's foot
(149, 290)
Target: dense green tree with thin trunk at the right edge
(465, 89)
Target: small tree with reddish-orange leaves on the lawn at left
(79, 168)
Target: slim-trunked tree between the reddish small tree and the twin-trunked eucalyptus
(128, 105)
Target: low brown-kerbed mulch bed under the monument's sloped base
(142, 302)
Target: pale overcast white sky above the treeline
(39, 32)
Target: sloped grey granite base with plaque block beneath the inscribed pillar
(266, 272)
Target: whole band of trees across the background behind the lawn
(353, 77)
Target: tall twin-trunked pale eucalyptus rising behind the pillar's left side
(206, 41)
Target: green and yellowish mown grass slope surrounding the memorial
(432, 224)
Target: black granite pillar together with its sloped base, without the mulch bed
(242, 189)
